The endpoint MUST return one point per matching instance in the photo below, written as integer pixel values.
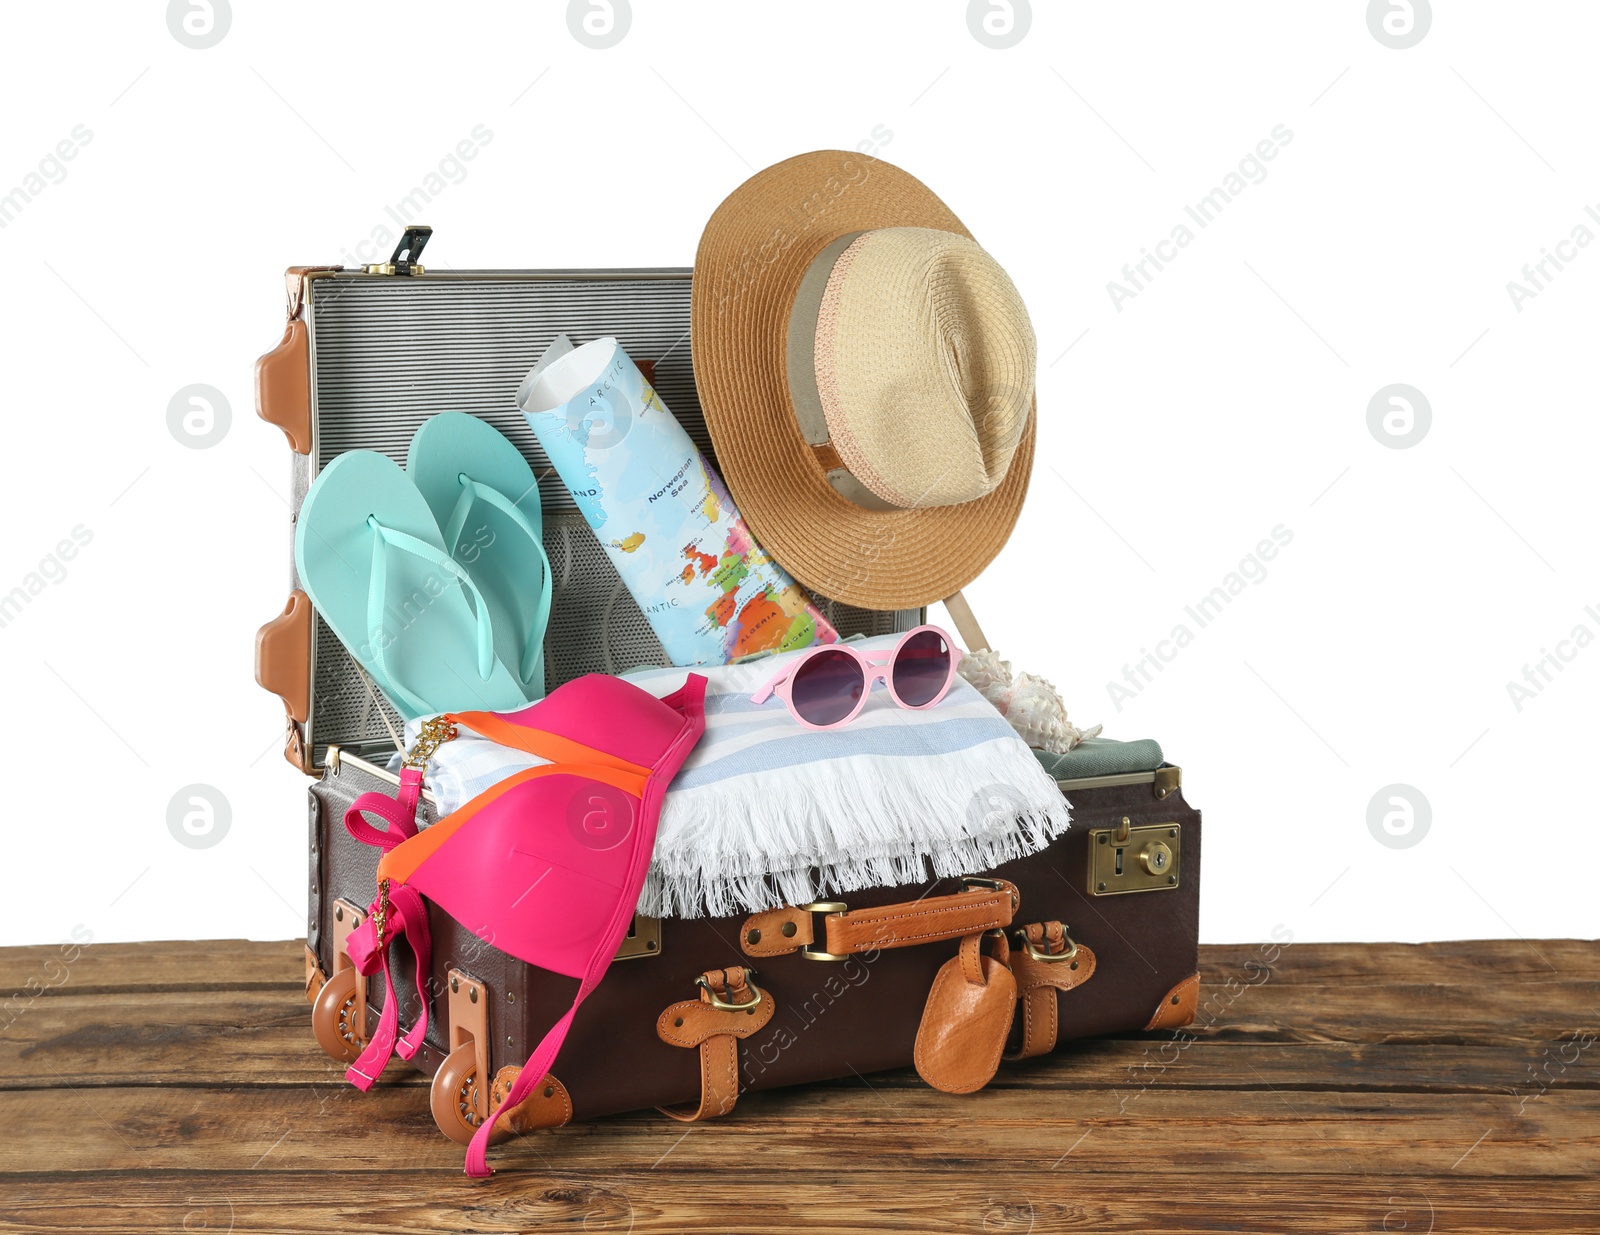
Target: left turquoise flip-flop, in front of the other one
(372, 561)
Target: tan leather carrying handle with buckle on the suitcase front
(929, 921)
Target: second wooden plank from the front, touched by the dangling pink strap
(791, 1133)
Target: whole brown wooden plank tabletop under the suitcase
(1345, 1089)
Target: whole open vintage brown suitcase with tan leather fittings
(778, 999)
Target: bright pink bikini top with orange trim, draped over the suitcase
(545, 866)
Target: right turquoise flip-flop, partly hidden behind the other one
(487, 505)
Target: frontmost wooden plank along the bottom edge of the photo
(839, 1201)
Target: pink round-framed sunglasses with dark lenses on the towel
(828, 687)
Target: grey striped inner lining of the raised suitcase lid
(391, 353)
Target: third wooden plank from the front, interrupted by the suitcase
(1474, 1041)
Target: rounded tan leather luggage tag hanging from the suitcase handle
(966, 1023)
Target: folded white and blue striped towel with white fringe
(767, 812)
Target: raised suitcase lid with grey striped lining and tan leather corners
(369, 354)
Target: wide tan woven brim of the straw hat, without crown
(751, 260)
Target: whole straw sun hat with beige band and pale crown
(868, 377)
